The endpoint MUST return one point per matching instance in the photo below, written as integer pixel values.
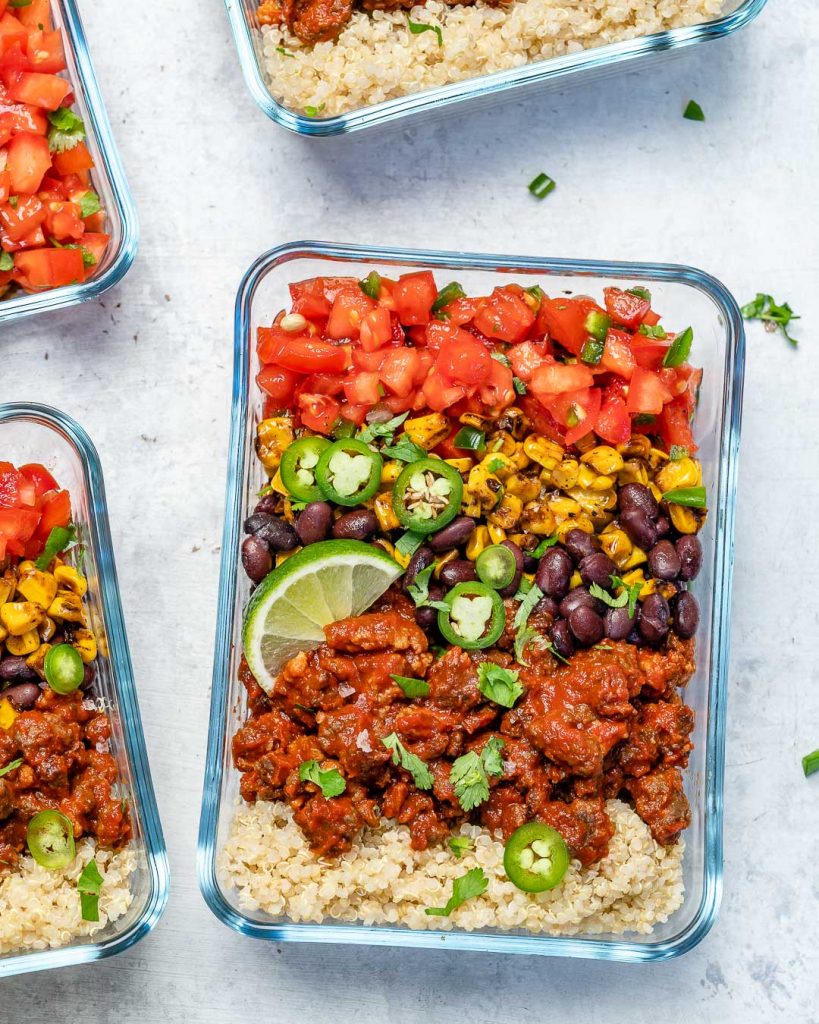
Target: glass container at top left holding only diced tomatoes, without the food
(108, 180)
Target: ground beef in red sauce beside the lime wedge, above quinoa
(611, 723)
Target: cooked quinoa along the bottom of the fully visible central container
(383, 881)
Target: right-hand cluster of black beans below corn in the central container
(581, 620)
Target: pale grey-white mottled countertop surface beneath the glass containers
(147, 370)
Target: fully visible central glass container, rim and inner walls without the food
(683, 295)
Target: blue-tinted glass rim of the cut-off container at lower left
(122, 672)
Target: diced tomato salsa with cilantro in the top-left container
(53, 227)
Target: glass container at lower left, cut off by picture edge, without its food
(37, 434)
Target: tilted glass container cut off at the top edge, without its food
(554, 71)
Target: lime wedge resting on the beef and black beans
(317, 586)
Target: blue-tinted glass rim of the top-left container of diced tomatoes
(112, 168)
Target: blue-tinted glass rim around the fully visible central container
(715, 764)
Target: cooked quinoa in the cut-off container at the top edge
(377, 59)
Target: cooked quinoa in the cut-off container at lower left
(40, 909)
